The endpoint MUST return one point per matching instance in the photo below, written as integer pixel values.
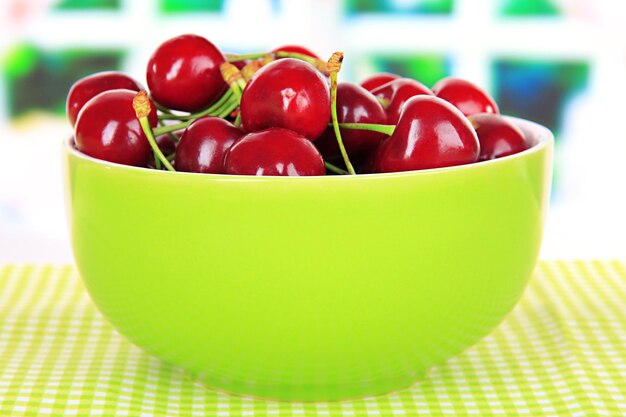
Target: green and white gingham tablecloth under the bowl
(561, 352)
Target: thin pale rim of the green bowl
(542, 138)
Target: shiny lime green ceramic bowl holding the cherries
(309, 288)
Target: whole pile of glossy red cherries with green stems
(281, 113)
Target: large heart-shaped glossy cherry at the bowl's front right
(431, 133)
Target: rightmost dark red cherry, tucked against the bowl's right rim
(497, 136)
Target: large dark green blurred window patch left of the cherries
(39, 80)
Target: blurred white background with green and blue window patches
(561, 63)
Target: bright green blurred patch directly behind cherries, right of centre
(426, 68)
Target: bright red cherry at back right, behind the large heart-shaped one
(465, 96)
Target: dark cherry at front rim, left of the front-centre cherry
(204, 145)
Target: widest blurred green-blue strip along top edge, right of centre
(428, 7)
